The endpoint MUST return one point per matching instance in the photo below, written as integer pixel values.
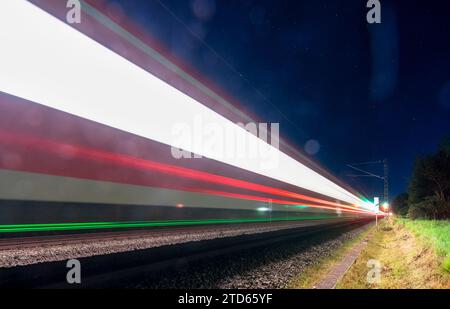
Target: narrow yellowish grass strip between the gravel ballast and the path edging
(314, 273)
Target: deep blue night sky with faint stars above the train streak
(342, 90)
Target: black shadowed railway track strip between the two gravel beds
(120, 269)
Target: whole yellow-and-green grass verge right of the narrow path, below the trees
(410, 254)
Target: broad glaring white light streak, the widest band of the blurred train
(48, 62)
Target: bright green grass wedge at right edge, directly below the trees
(435, 232)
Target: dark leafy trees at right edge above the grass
(428, 194)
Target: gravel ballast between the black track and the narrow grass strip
(270, 268)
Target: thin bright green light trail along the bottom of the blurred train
(11, 228)
